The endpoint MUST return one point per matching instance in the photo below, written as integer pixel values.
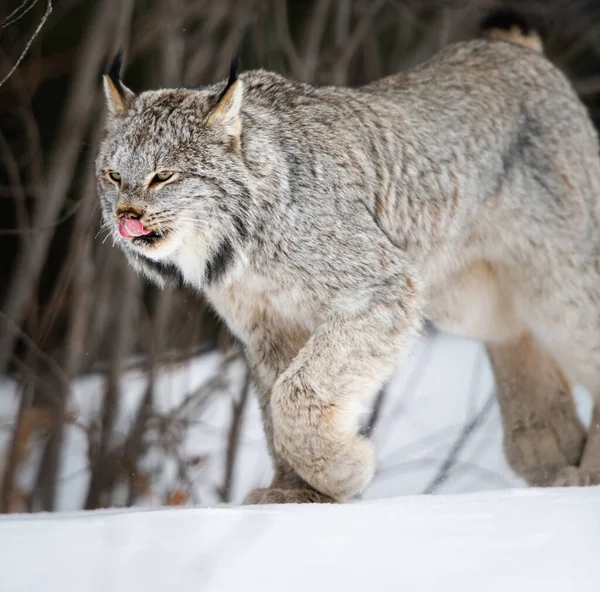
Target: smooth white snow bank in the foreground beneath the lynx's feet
(517, 540)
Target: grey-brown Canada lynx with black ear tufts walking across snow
(324, 224)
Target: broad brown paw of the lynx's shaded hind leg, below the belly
(538, 453)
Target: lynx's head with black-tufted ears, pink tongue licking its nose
(170, 176)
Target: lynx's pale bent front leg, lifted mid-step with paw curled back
(317, 401)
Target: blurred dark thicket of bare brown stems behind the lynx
(70, 308)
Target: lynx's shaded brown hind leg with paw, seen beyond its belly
(543, 436)
